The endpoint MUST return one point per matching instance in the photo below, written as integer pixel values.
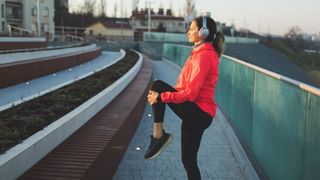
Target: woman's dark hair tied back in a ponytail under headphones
(215, 37)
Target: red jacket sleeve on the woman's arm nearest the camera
(198, 74)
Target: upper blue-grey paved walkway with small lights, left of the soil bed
(20, 91)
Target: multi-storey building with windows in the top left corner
(24, 17)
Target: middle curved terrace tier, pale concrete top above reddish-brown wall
(48, 62)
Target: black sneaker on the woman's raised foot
(158, 145)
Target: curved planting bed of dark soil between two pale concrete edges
(22, 121)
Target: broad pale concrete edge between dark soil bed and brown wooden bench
(23, 156)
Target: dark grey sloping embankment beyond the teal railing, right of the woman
(266, 57)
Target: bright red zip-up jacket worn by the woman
(197, 80)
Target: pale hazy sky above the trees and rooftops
(260, 16)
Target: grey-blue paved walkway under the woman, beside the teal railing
(216, 158)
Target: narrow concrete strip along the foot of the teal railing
(246, 167)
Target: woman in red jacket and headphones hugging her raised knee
(192, 97)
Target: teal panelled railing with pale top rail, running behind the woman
(277, 117)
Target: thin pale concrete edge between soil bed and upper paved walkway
(27, 98)
